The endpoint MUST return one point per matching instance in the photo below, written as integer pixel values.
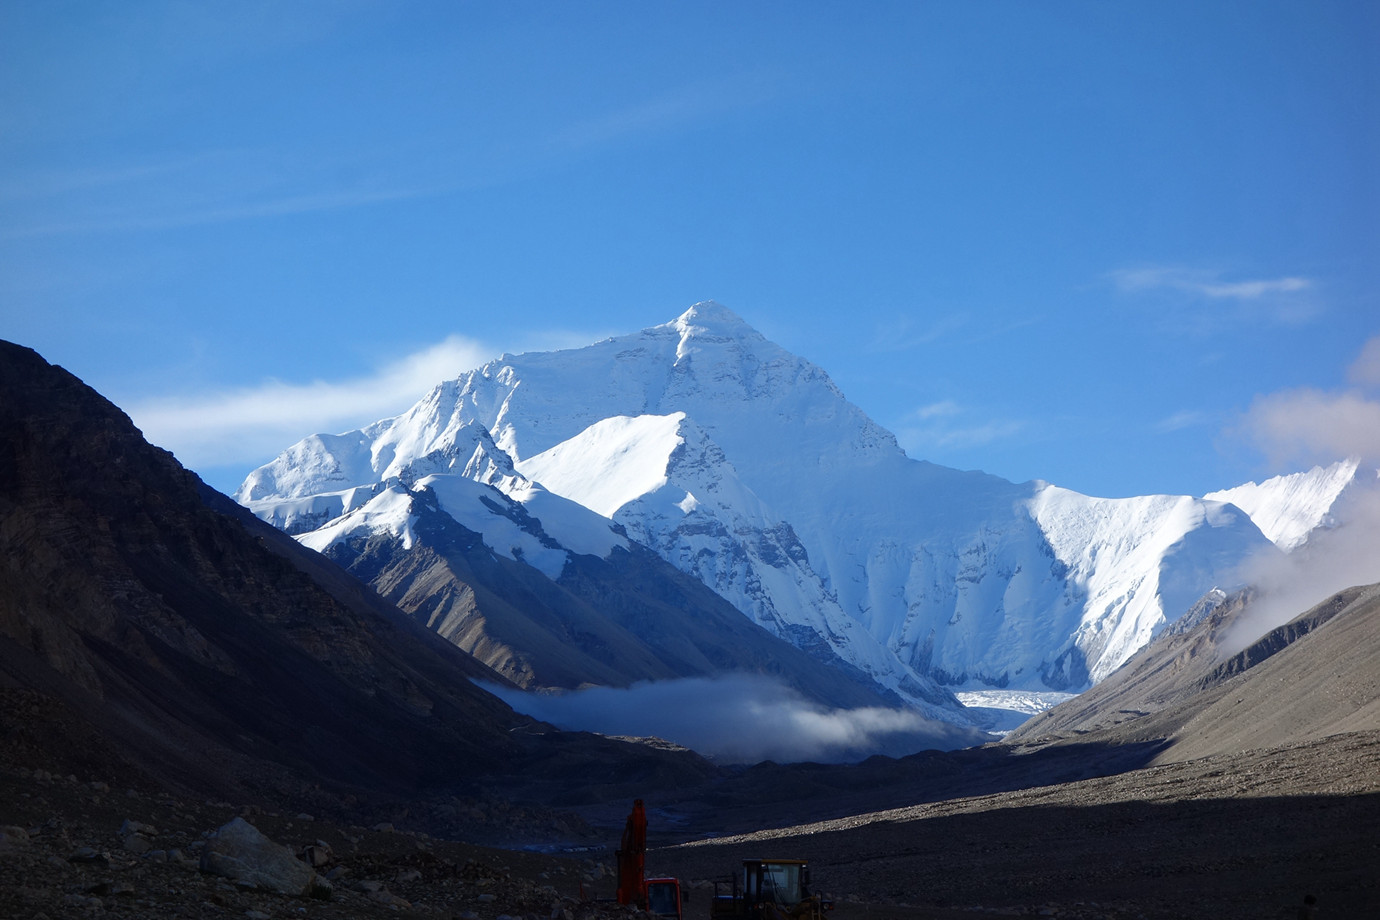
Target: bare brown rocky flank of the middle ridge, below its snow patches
(607, 620)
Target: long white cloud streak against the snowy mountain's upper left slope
(250, 426)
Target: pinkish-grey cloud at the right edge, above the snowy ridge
(1309, 426)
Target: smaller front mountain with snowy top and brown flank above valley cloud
(440, 521)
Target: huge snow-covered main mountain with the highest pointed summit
(746, 467)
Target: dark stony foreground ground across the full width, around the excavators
(1243, 837)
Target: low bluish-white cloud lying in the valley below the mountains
(740, 719)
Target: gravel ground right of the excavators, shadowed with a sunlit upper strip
(1226, 838)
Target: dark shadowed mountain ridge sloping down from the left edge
(150, 620)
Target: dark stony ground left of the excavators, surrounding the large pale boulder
(63, 854)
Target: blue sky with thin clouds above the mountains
(1125, 248)
